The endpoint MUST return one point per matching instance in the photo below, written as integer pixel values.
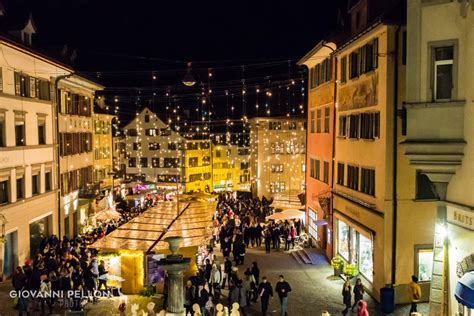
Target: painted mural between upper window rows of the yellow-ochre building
(361, 94)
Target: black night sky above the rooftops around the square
(123, 44)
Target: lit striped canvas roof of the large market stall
(148, 231)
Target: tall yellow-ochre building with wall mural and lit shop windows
(377, 225)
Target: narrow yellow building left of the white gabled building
(102, 146)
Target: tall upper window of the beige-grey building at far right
(443, 72)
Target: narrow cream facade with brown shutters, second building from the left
(76, 96)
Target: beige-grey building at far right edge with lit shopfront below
(438, 115)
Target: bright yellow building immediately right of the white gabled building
(197, 166)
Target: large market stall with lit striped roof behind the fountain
(137, 245)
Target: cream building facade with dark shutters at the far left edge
(28, 186)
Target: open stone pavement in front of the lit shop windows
(315, 289)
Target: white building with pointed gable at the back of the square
(152, 150)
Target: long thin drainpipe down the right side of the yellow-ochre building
(395, 156)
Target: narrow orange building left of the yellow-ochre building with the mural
(320, 142)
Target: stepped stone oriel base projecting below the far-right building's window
(435, 138)
